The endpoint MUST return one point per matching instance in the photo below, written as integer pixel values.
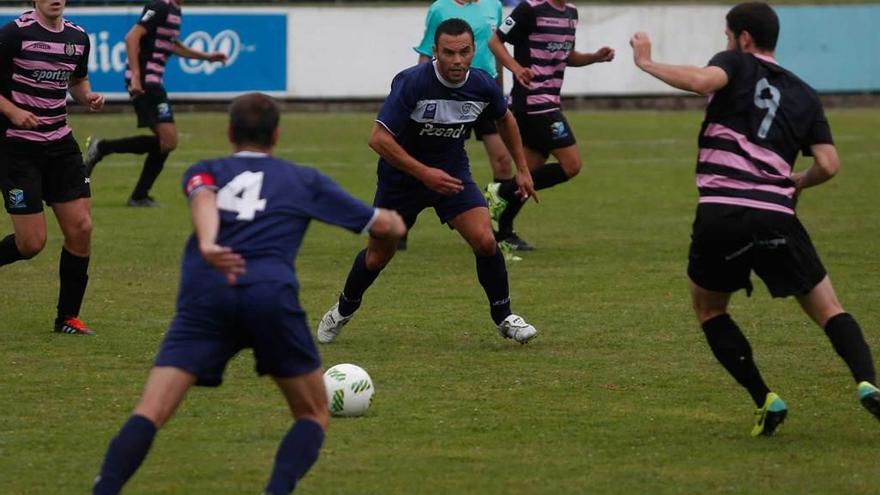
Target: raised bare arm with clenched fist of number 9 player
(700, 80)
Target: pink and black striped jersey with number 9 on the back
(753, 131)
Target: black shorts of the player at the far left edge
(31, 173)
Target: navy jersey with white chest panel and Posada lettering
(430, 118)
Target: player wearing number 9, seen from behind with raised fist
(758, 120)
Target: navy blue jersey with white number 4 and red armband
(265, 205)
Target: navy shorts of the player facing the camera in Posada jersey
(410, 201)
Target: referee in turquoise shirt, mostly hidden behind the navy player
(484, 16)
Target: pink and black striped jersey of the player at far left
(36, 65)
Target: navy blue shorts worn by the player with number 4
(212, 327)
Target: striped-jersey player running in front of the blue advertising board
(150, 42)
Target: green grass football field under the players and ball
(619, 394)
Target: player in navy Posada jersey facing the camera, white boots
(419, 136)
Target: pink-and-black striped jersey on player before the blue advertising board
(161, 19)
